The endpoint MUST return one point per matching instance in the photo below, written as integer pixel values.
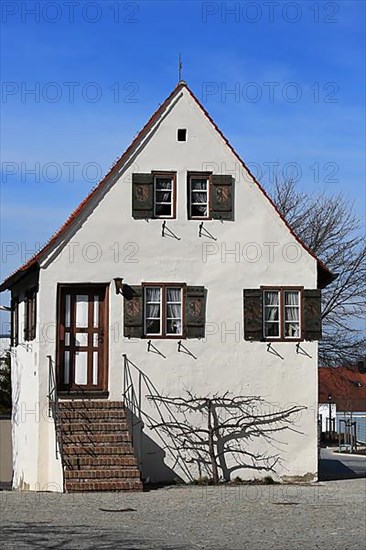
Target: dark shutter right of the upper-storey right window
(222, 198)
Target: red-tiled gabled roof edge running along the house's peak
(325, 276)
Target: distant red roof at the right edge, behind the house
(346, 385)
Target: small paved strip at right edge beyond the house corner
(334, 465)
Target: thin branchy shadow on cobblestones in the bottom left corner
(43, 535)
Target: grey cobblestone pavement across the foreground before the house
(329, 515)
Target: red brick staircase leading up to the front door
(96, 447)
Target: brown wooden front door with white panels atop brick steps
(82, 338)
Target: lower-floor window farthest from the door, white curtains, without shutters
(282, 313)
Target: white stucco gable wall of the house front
(136, 251)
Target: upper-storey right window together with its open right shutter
(210, 196)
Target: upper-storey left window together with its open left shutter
(154, 195)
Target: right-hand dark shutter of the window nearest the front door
(195, 312)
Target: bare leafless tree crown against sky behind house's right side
(327, 224)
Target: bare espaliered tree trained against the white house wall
(215, 432)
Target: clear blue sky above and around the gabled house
(297, 69)
